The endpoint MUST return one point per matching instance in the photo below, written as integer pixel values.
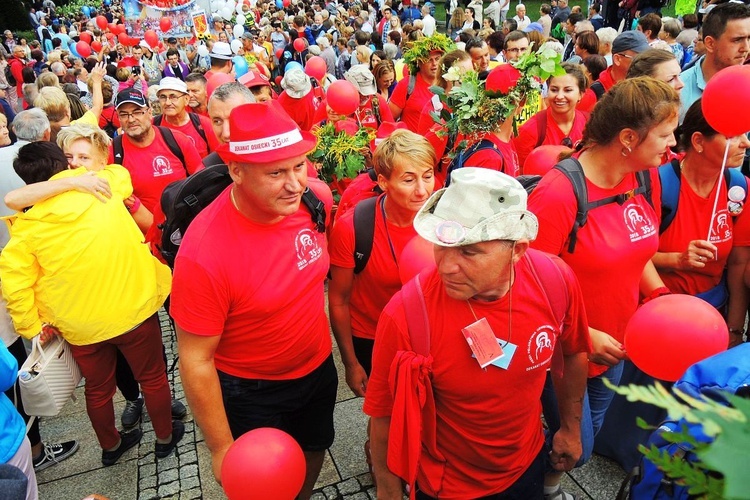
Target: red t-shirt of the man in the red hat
(262, 293)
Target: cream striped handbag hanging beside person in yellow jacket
(48, 377)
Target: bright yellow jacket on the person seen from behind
(81, 265)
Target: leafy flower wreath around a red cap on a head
(480, 106)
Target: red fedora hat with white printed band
(264, 133)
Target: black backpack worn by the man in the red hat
(183, 200)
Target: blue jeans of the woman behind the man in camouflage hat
(596, 400)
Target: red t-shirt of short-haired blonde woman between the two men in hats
(379, 280)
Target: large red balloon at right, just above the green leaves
(670, 333)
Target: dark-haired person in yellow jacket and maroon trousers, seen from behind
(79, 267)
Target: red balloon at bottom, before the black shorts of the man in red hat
(263, 463)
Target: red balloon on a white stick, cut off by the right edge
(722, 95)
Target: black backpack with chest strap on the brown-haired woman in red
(574, 173)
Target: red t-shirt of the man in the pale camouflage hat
(488, 425)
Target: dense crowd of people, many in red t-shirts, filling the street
(88, 146)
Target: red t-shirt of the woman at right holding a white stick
(691, 222)
